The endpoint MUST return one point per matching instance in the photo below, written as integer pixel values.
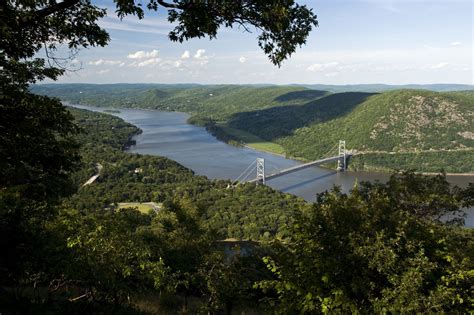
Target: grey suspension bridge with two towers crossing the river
(261, 177)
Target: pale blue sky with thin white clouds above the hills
(362, 41)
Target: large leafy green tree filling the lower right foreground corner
(369, 252)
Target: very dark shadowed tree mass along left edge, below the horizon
(38, 154)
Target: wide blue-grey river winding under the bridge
(168, 134)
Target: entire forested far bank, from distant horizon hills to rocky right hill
(434, 134)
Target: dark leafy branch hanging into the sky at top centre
(283, 25)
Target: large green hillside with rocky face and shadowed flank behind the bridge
(432, 130)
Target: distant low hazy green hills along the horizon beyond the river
(212, 101)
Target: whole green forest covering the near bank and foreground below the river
(211, 248)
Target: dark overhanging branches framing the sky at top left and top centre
(26, 27)
